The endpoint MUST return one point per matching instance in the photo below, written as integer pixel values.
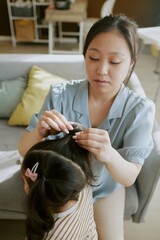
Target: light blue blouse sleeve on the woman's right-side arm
(137, 142)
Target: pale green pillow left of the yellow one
(11, 92)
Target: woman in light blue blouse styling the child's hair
(119, 121)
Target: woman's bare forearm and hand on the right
(97, 141)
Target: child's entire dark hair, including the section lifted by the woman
(59, 180)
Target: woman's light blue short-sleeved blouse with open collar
(129, 124)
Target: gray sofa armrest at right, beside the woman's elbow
(148, 178)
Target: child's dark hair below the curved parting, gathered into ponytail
(59, 180)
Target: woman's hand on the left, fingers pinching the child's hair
(51, 122)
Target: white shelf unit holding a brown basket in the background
(27, 22)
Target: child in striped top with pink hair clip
(59, 201)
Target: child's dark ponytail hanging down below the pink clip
(39, 218)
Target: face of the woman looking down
(108, 61)
